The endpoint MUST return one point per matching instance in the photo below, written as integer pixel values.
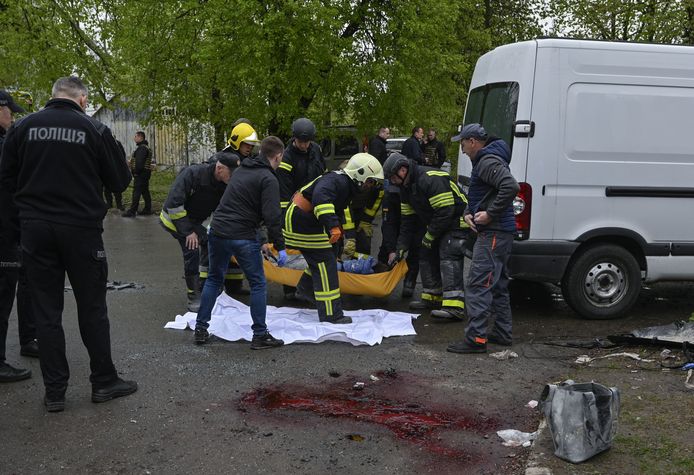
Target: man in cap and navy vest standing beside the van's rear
(490, 214)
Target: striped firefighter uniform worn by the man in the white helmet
(316, 209)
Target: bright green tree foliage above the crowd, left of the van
(362, 62)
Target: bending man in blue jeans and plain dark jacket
(252, 197)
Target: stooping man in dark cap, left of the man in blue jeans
(193, 197)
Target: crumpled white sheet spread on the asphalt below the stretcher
(231, 320)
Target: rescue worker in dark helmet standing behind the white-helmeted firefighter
(302, 162)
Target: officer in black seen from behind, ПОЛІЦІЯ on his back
(55, 162)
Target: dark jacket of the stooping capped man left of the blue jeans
(192, 198)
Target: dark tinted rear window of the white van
(494, 106)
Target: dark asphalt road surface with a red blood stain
(222, 408)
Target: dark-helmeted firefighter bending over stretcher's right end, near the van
(431, 195)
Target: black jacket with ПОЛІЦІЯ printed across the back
(56, 162)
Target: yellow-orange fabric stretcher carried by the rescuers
(373, 285)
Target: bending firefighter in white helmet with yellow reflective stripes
(313, 225)
